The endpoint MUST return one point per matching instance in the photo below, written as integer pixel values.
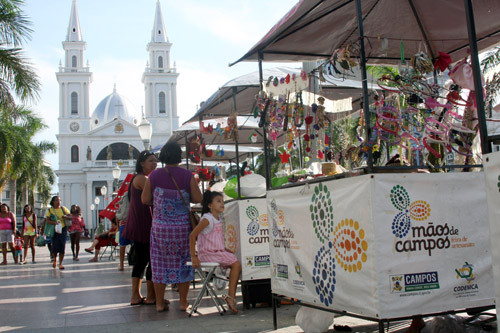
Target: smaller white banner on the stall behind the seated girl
(247, 233)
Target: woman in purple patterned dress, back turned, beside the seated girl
(171, 226)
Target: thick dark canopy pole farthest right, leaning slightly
(476, 70)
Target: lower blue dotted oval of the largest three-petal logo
(324, 275)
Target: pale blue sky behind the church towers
(206, 37)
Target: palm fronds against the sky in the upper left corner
(16, 74)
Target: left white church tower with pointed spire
(74, 80)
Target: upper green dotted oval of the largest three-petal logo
(321, 210)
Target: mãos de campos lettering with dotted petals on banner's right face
(423, 237)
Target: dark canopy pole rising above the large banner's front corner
(366, 105)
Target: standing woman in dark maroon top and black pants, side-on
(138, 229)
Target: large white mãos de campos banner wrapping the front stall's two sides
(383, 245)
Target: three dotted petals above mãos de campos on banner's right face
(418, 210)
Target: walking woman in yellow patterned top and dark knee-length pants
(57, 214)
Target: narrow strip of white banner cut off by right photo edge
(492, 179)
